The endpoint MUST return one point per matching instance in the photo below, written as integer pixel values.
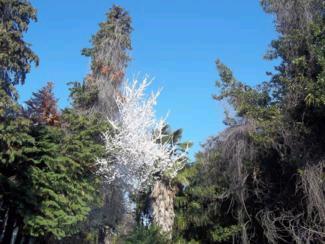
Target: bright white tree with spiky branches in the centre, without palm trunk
(137, 148)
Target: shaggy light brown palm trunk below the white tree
(162, 206)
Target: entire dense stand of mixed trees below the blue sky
(106, 170)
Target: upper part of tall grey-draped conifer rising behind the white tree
(109, 59)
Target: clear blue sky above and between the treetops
(176, 42)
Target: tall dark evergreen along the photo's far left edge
(16, 59)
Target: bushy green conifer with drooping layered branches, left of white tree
(62, 177)
